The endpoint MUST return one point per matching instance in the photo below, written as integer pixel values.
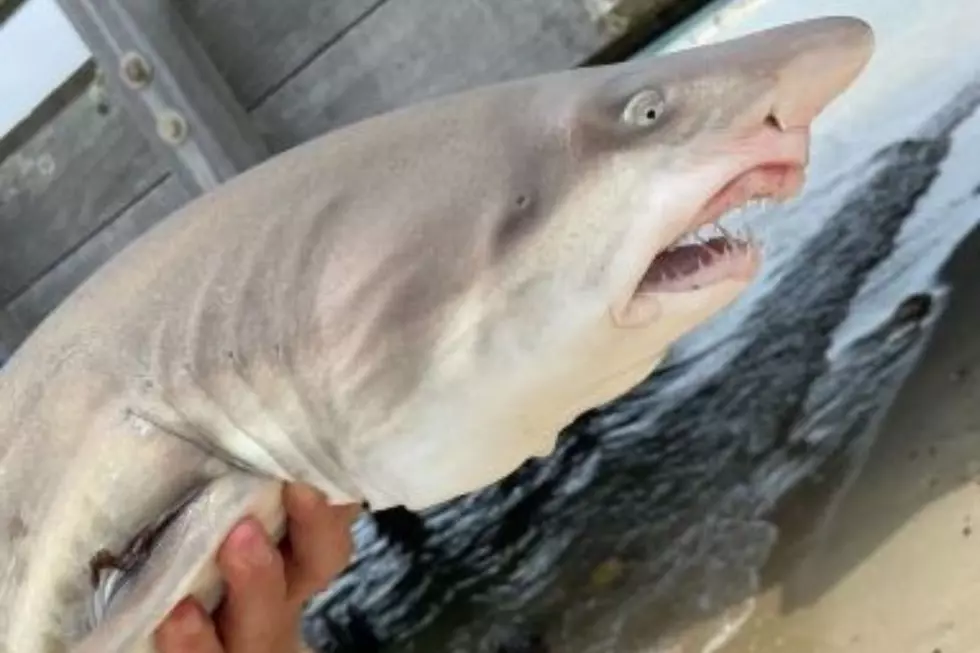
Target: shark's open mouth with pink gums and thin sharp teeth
(706, 253)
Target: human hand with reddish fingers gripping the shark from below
(266, 586)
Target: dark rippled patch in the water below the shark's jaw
(662, 507)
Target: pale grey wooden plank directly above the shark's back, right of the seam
(409, 50)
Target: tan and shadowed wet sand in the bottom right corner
(899, 568)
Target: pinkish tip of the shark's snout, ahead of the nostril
(815, 61)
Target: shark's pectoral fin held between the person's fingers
(179, 562)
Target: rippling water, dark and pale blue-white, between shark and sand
(664, 508)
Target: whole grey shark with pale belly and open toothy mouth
(398, 312)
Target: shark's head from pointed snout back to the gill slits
(557, 239)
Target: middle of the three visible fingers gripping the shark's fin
(254, 614)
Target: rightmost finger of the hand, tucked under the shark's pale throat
(319, 540)
